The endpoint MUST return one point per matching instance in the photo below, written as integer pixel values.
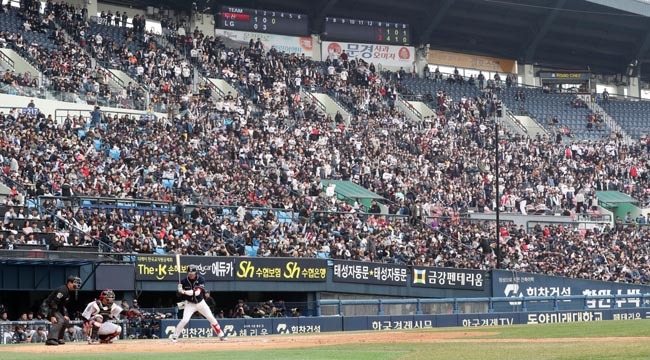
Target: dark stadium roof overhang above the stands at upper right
(604, 36)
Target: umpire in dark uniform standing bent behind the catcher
(53, 309)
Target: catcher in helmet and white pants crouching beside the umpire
(97, 316)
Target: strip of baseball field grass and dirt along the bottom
(595, 340)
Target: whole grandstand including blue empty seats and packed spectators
(245, 173)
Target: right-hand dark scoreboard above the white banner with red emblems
(366, 31)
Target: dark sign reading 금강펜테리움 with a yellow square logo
(447, 278)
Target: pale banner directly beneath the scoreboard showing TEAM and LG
(287, 44)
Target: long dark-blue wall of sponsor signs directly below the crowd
(324, 279)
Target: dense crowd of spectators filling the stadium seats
(270, 148)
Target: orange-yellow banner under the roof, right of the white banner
(477, 62)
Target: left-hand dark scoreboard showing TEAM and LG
(263, 21)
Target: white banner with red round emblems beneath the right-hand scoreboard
(384, 55)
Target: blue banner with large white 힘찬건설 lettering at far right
(515, 284)
